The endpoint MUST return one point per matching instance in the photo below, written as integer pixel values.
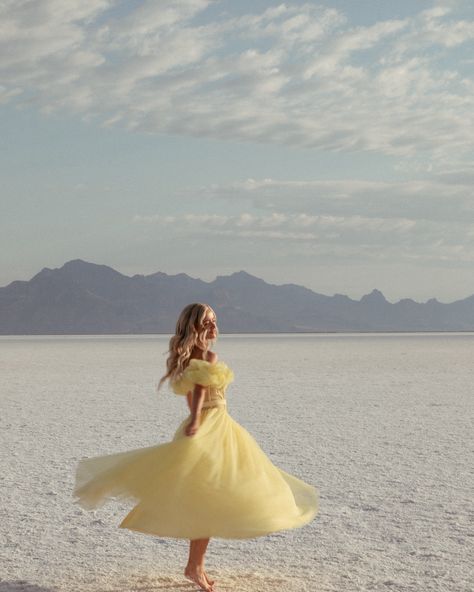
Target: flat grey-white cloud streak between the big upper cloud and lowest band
(447, 197)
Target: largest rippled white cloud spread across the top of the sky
(298, 74)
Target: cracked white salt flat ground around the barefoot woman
(380, 424)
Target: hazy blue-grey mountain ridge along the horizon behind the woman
(86, 298)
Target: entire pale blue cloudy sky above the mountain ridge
(327, 144)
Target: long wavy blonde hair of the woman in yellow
(190, 332)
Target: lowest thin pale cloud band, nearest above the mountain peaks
(349, 238)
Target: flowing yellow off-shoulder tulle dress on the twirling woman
(217, 483)
